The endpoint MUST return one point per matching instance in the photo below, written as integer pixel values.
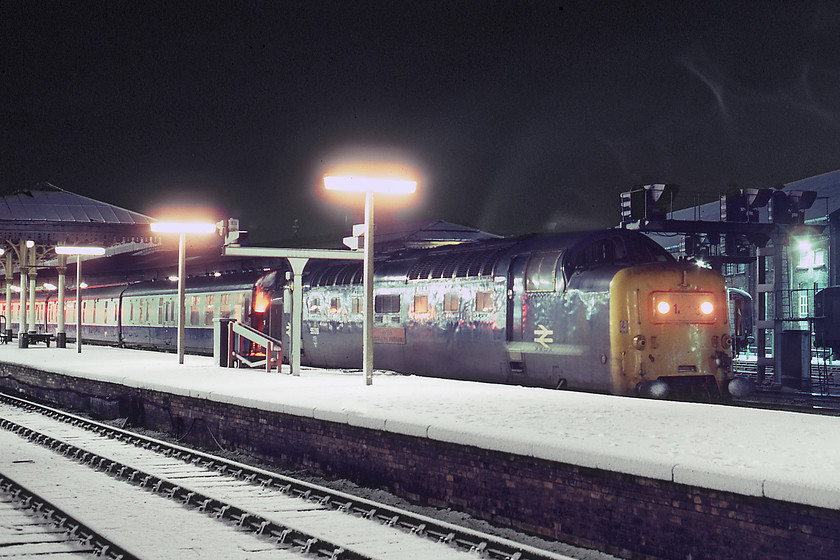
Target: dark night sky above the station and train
(525, 118)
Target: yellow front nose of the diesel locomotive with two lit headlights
(669, 331)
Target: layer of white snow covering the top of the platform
(787, 456)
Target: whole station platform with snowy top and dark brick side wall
(633, 477)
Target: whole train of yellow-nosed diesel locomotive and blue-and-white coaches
(606, 311)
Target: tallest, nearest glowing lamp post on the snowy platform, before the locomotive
(369, 184)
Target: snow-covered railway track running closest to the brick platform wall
(291, 515)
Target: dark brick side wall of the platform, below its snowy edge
(625, 515)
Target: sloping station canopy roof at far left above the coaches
(49, 215)
